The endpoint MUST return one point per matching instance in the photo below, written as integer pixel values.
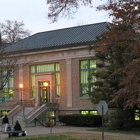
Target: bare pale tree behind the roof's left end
(13, 31)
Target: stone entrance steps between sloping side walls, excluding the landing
(27, 116)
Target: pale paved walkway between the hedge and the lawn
(62, 129)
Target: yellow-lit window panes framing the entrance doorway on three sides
(53, 67)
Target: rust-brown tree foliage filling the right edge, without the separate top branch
(121, 43)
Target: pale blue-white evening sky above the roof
(34, 15)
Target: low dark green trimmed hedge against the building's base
(81, 120)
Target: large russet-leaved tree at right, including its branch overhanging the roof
(120, 43)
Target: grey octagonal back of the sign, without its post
(102, 107)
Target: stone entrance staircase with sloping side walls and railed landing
(30, 116)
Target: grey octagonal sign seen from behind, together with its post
(102, 109)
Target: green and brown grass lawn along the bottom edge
(75, 136)
